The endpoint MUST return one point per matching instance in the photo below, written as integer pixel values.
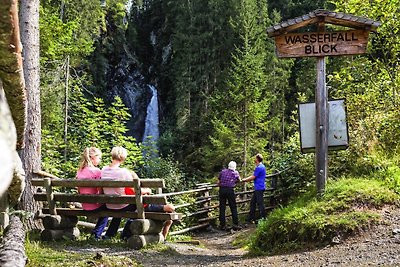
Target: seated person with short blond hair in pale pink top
(115, 172)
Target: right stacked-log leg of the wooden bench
(145, 232)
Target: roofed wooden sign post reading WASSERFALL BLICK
(320, 44)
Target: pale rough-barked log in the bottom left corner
(12, 253)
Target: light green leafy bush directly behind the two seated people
(91, 124)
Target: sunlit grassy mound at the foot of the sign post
(309, 220)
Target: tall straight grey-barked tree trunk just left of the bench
(29, 25)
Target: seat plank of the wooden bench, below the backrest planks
(117, 214)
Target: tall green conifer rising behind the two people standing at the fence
(241, 123)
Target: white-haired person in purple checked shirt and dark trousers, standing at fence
(227, 180)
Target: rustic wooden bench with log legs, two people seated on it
(60, 222)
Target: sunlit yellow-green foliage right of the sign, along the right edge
(370, 84)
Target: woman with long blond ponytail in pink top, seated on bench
(90, 159)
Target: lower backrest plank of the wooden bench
(111, 199)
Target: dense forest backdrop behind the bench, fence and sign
(222, 92)
